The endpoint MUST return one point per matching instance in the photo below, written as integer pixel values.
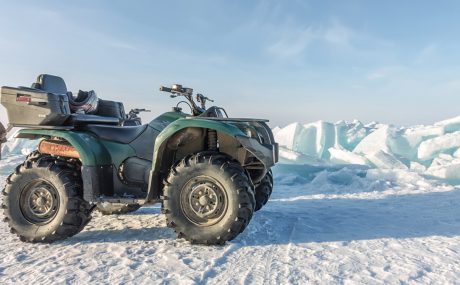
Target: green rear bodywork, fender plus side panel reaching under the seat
(93, 151)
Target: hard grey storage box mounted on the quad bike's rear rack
(28, 106)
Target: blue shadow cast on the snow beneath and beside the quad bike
(324, 220)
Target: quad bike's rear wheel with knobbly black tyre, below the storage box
(42, 200)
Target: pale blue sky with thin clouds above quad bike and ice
(390, 61)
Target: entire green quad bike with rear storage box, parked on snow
(210, 172)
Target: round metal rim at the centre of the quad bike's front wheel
(203, 201)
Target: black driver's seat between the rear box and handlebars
(116, 133)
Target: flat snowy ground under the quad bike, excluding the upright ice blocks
(340, 224)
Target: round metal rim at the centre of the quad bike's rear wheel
(39, 202)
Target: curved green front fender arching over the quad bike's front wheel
(190, 122)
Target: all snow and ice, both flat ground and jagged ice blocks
(337, 215)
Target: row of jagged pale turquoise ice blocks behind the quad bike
(418, 148)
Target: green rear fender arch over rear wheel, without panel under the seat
(92, 152)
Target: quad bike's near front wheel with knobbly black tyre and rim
(208, 198)
